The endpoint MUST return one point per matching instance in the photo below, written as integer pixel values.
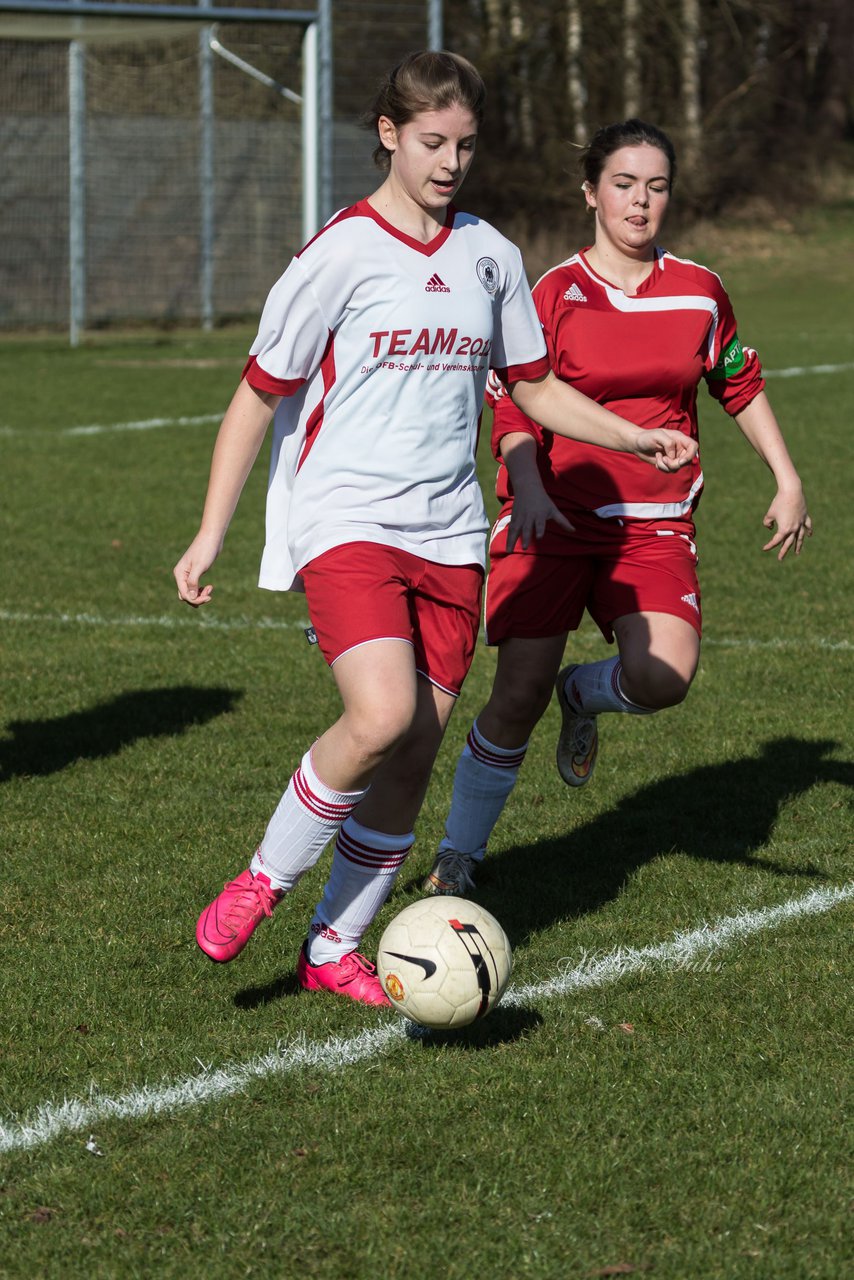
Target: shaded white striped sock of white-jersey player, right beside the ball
(364, 868)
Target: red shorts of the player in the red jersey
(608, 569)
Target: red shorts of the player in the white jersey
(364, 592)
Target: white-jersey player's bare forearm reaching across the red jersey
(565, 412)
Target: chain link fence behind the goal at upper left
(158, 243)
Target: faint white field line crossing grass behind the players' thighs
(184, 619)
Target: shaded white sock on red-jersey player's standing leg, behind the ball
(485, 778)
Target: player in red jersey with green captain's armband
(638, 331)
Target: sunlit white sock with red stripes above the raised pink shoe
(305, 821)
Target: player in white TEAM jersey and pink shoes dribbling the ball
(372, 356)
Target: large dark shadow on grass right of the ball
(723, 813)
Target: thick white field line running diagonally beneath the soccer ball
(51, 1121)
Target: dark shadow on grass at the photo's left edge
(38, 748)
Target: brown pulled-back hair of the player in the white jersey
(426, 83)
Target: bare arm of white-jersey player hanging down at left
(238, 445)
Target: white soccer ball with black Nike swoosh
(445, 962)
